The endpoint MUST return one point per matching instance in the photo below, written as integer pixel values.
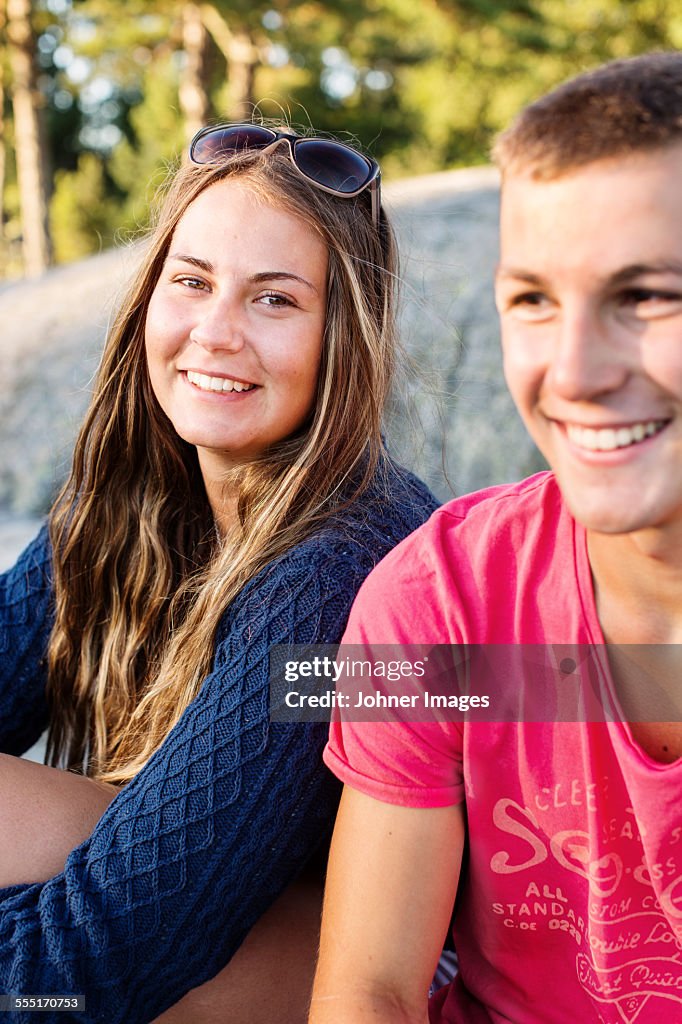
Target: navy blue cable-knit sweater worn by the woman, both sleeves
(223, 817)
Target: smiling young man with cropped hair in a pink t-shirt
(570, 893)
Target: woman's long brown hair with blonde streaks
(142, 580)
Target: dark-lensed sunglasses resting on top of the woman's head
(332, 166)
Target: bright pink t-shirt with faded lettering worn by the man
(570, 906)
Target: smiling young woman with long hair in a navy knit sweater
(230, 492)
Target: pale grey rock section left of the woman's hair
(52, 336)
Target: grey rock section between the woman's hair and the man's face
(467, 434)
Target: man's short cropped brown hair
(624, 107)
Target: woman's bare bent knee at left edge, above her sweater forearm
(45, 815)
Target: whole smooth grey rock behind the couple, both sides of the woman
(460, 432)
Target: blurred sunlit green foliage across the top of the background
(425, 87)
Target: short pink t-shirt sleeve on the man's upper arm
(411, 763)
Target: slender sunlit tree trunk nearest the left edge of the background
(26, 105)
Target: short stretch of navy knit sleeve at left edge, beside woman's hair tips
(26, 619)
